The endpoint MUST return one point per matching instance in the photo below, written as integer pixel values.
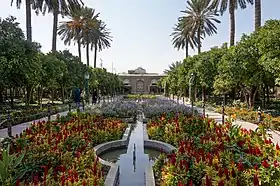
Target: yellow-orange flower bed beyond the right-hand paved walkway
(251, 116)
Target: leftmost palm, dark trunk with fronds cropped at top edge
(28, 4)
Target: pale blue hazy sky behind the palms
(141, 31)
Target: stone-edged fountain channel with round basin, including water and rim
(141, 151)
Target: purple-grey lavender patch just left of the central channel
(120, 109)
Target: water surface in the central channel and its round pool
(134, 159)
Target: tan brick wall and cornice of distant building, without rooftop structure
(139, 80)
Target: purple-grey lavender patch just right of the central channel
(155, 108)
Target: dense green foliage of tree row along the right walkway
(245, 68)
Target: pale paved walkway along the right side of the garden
(218, 118)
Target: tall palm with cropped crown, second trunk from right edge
(231, 5)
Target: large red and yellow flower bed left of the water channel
(61, 153)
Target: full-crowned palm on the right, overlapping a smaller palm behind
(200, 19)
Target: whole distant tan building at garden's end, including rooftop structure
(139, 81)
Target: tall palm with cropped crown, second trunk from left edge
(57, 7)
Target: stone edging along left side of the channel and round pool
(113, 174)
